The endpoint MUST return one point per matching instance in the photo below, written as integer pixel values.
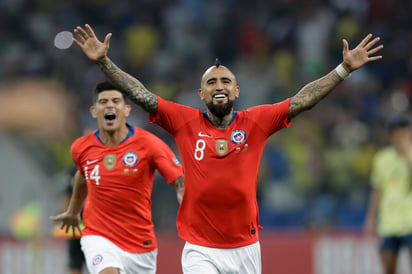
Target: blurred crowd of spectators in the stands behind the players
(314, 175)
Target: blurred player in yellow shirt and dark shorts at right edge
(391, 196)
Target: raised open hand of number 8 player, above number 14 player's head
(90, 45)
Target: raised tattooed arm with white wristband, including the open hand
(315, 91)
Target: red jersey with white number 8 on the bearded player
(219, 207)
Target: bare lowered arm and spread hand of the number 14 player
(70, 219)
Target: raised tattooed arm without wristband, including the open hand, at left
(96, 51)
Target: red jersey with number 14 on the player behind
(119, 184)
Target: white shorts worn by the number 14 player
(100, 253)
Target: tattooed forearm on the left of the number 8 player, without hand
(129, 86)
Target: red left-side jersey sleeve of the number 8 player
(171, 116)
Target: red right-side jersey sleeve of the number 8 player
(271, 118)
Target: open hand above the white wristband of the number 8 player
(362, 54)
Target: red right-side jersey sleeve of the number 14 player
(166, 161)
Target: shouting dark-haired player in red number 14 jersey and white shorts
(116, 166)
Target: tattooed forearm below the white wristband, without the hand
(313, 93)
